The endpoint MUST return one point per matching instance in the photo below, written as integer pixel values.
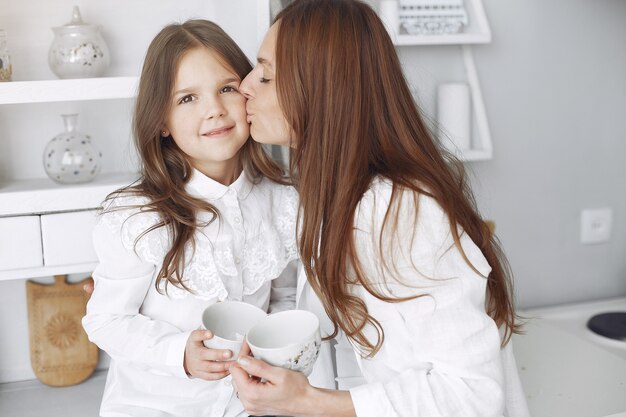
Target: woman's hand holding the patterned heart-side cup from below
(282, 392)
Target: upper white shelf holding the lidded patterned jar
(46, 91)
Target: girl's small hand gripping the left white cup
(202, 362)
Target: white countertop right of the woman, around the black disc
(566, 370)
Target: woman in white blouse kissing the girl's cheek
(389, 236)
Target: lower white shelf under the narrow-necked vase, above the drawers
(42, 195)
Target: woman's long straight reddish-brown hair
(341, 87)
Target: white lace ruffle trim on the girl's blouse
(263, 257)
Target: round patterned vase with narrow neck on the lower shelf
(70, 157)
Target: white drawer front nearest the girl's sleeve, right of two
(67, 238)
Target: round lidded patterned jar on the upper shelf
(78, 50)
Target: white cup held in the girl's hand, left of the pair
(229, 321)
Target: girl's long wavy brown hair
(165, 168)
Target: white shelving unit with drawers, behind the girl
(39, 202)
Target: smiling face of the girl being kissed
(207, 117)
